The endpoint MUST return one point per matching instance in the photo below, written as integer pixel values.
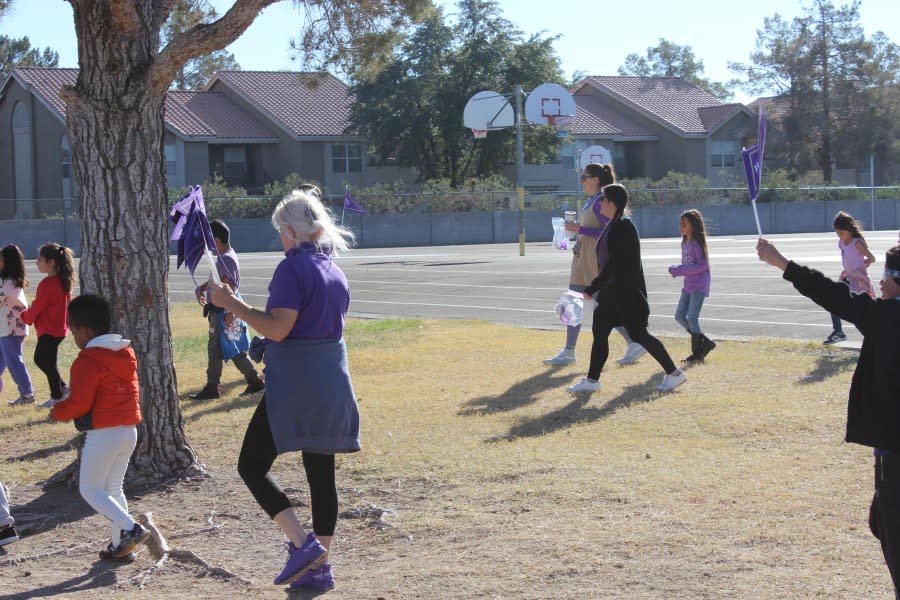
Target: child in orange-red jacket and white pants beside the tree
(105, 402)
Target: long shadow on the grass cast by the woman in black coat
(577, 411)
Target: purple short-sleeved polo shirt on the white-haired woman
(311, 283)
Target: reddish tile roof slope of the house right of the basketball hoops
(671, 100)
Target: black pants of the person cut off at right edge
(884, 514)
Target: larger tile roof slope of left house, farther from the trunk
(303, 104)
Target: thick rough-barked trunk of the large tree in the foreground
(115, 121)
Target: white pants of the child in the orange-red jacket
(104, 461)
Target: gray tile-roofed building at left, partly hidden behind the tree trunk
(248, 127)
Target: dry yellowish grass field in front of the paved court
(482, 478)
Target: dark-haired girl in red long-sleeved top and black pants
(48, 314)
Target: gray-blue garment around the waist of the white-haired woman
(309, 397)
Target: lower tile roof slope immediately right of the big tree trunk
(211, 114)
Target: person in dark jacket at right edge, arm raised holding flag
(873, 411)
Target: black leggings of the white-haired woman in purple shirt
(258, 452)
